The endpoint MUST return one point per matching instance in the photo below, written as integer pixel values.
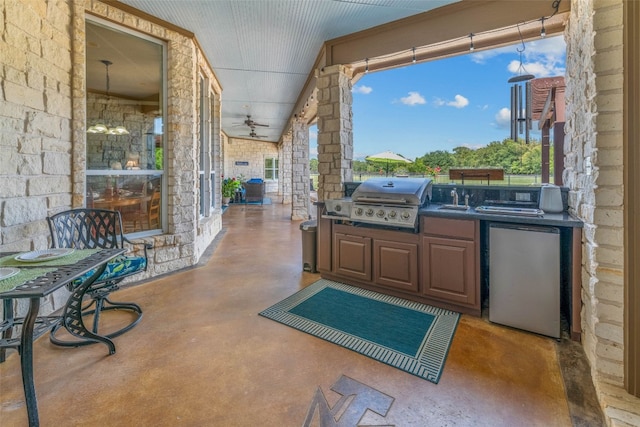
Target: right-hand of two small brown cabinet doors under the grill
(395, 264)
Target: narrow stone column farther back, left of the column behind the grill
(300, 170)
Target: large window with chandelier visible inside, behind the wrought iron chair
(125, 138)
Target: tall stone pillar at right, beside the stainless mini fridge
(594, 173)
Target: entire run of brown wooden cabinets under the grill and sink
(439, 266)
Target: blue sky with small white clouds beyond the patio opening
(440, 105)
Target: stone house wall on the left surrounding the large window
(43, 133)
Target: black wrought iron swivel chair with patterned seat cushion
(91, 229)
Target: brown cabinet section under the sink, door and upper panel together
(451, 262)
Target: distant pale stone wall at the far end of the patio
(252, 152)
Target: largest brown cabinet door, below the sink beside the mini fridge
(449, 270)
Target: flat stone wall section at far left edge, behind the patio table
(35, 123)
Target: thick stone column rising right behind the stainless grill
(335, 131)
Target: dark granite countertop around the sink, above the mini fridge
(563, 219)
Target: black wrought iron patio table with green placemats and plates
(57, 275)
